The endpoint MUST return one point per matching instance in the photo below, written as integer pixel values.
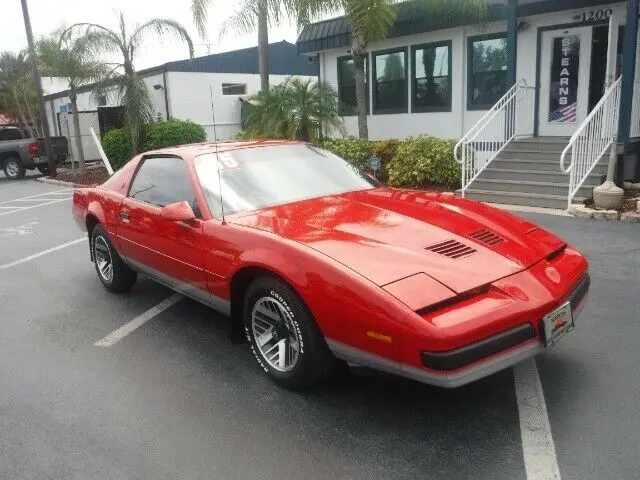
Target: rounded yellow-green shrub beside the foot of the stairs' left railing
(423, 161)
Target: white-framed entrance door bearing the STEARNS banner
(564, 80)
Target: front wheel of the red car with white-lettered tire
(283, 336)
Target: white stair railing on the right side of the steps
(592, 139)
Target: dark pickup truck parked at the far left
(19, 153)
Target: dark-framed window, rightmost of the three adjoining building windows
(431, 66)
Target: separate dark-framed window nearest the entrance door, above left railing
(487, 71)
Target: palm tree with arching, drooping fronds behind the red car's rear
(98, 40)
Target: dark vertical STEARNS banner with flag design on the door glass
(565, 65)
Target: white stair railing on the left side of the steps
(511, 117)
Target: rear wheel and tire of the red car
(112, 271)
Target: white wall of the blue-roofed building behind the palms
(190, 99)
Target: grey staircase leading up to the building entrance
(527, 172)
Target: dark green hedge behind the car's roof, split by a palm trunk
(117, 142)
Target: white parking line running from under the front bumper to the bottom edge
(537, 442)
